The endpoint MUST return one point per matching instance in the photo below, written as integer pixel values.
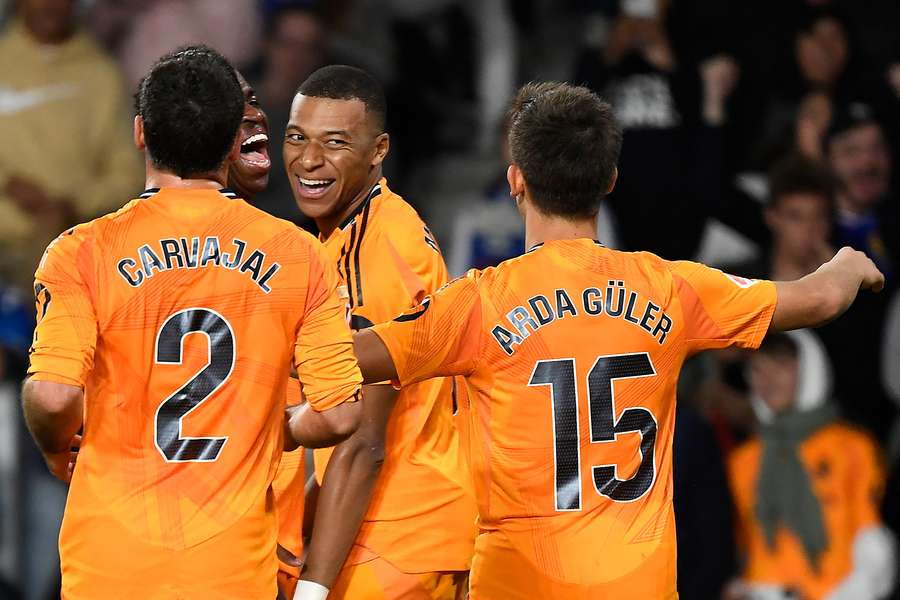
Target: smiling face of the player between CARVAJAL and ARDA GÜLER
(330, 151)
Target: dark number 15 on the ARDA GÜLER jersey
(560, 375)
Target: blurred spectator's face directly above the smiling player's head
(297, 47)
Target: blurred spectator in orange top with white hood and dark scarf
(808, 487)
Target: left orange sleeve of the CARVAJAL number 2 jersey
(66, 332)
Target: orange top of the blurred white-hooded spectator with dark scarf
(847, 477)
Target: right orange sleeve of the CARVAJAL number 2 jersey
(323, 352)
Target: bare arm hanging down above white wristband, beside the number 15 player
(350, 477)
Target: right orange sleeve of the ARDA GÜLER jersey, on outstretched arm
(721, 310)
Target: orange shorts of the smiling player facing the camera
(377, 579)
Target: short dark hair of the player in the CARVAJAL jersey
(192, 106)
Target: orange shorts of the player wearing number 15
(501, 572)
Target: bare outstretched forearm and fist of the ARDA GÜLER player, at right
(826, 293)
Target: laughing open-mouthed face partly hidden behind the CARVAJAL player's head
(249, 175)
